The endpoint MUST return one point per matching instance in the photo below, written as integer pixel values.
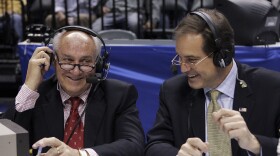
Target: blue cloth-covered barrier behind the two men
(146, 64)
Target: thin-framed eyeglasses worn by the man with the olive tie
(191, 62)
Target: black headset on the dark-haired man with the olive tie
(223, 56)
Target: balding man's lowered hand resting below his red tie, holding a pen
(58, 147)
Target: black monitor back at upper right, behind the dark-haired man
(255, 22)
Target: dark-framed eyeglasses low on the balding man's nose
(69, 66)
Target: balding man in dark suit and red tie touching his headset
(107, 123)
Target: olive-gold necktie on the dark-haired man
(219, 142)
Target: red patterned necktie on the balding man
(77, 139)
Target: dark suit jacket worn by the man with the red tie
(112, 125)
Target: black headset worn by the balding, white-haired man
(102, 64)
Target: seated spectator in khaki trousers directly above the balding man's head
(72, 13)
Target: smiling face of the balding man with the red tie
(75, 48)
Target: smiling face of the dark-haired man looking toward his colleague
(204, 74)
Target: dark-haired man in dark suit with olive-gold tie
(249, 97)
